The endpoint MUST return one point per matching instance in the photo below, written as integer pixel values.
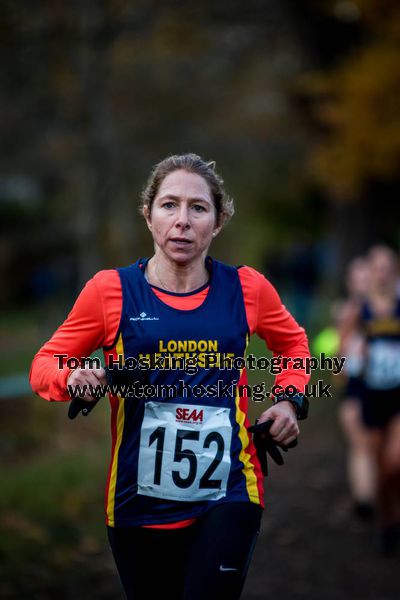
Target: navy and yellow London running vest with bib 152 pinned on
(175, 456)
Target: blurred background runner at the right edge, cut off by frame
(380, 318)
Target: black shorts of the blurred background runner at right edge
(380, 406)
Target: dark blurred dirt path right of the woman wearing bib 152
(310, 545)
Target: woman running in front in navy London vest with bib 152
(184, 495)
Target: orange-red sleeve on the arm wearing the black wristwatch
(268, 317)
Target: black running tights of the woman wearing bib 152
(204, 561)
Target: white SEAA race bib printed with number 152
(184, 452)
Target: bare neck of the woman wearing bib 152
(174, 277)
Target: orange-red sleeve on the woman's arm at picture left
(92, 323)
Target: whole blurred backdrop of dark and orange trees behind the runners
(295, 101)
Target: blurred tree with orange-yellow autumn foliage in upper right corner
(354, 104)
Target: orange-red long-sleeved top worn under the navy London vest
(94, 321)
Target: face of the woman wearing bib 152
(183, 217)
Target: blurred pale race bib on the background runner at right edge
(383, 372)
